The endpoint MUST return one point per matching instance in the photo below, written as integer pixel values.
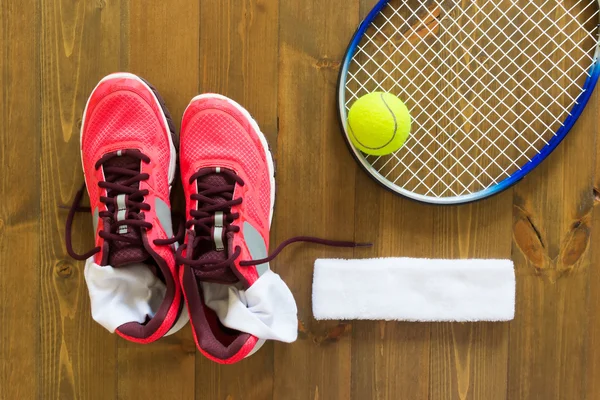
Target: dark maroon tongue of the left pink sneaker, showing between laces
(124, 253)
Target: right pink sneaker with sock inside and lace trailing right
(234, 300)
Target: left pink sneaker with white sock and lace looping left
(128, 157)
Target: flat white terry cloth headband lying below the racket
(412, 289)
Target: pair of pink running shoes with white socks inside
(140, 278)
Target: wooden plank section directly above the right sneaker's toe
(238, 43)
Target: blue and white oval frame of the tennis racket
(580, 104)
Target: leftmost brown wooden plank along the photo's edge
(20, 193)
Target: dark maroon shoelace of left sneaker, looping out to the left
(119, 180)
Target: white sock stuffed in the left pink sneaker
(122, 295)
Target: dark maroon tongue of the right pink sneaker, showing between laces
(206, 250)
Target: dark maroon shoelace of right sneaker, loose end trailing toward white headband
(213, 198)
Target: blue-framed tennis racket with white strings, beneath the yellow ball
(492, 88)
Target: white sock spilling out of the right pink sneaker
(267, 309)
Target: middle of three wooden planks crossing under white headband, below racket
(390, 360)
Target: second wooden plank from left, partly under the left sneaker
(80, 44)
